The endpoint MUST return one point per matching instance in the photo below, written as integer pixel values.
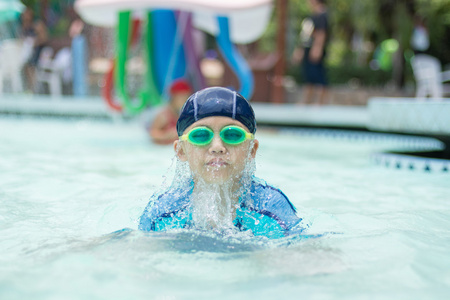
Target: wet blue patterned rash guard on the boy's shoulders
(269, 213)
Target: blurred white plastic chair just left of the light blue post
(54, 71)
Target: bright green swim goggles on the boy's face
(202, 136)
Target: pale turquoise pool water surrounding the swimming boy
(68, 186)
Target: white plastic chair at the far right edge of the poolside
(430, 80)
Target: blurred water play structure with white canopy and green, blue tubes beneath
(169, 49)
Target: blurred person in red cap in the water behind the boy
(163, 129)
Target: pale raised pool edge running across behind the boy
(399, 115)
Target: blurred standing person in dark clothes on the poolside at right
(311, 52)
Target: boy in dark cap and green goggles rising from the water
(217, 146)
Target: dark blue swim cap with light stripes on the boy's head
(216, 101)
